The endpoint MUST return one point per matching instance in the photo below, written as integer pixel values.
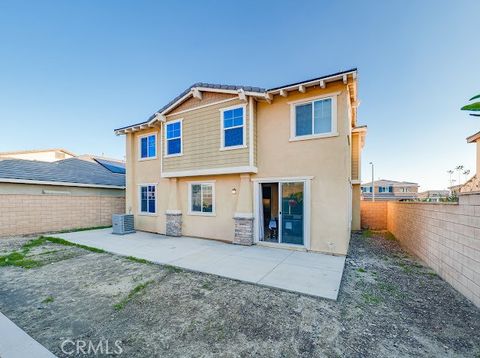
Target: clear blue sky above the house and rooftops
(72, 71)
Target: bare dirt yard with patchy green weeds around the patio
(389, 305)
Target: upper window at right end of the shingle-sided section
(233, 128)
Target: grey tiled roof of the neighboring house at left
(69, 172)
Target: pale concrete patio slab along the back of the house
(304, 272)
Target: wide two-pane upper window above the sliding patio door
(314, 118)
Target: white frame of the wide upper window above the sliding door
(293, 106)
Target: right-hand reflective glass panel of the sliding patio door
(292, 213)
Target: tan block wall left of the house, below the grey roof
(28, 214)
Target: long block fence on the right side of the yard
(446, 236)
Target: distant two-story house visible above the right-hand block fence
(390, 190)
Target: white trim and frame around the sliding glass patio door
(306, 202)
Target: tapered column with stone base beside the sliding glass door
(244, 213)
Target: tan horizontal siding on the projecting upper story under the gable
(202, 141)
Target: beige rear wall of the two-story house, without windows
(327, 160)
